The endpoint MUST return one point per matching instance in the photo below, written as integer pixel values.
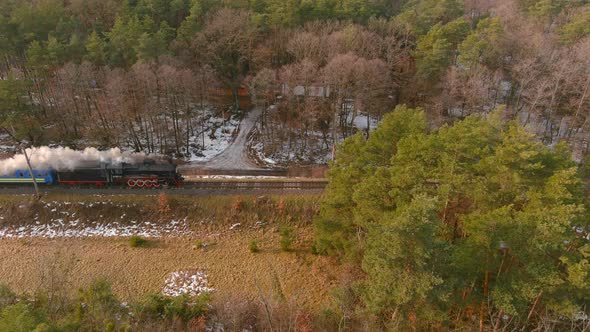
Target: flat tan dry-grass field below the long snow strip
(231, 269)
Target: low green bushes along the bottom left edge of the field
(97, 309)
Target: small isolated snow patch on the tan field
(192, 283)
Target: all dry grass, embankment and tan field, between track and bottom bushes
(303, 278)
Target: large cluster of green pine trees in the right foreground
(430, 222)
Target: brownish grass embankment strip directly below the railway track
(202, 214)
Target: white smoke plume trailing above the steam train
(62, 159)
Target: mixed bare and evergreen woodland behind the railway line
(137, 73)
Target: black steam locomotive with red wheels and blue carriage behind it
(149, 174)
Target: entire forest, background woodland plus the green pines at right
(464, 209)
